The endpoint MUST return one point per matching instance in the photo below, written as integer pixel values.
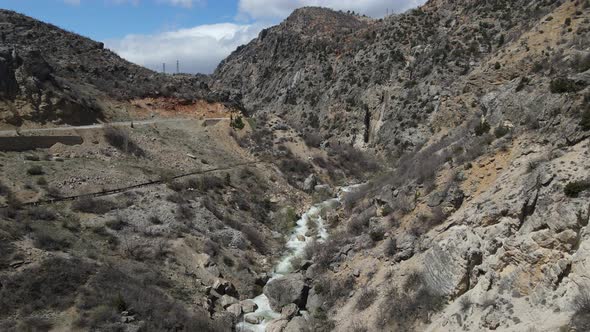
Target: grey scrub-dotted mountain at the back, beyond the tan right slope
(378, 82)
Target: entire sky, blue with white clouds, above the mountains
(198, 33)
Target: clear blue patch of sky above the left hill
(110, 19)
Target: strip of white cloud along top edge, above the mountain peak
(257, 9)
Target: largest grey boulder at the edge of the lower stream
(285, 290)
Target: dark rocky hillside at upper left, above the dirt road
(52, 75)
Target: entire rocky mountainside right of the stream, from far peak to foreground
(483, 109)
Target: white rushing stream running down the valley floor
(299, 239)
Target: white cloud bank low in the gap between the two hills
(199, 49)
